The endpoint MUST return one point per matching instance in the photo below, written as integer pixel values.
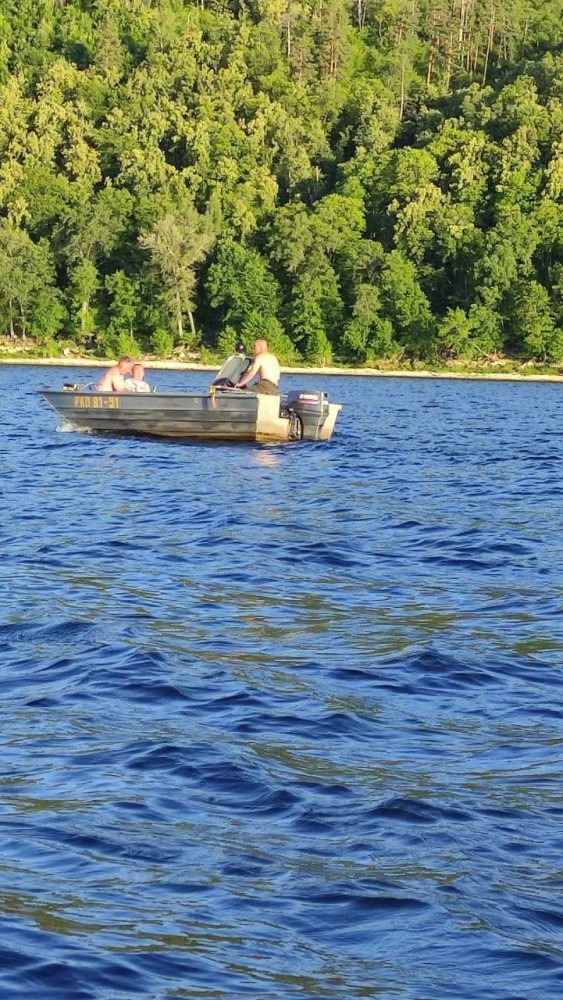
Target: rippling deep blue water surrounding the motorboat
(284, 722)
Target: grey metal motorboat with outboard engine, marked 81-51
(221, 413)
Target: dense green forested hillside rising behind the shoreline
(353, 179)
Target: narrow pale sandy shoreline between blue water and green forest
(164, 365)
